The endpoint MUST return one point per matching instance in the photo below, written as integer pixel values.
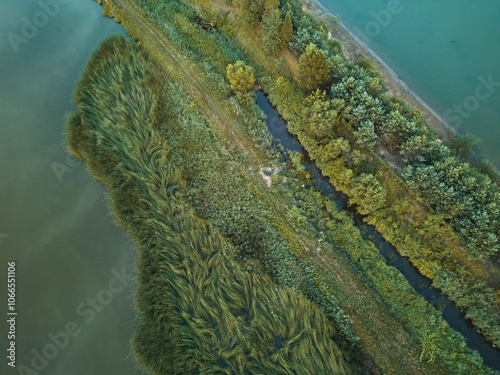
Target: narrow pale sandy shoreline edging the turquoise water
(355, 49)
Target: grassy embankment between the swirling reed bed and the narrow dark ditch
(360, 301)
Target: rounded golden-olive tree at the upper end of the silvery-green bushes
(313, 69)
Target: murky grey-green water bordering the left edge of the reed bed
(53, 217)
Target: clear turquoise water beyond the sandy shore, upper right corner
(444, 50)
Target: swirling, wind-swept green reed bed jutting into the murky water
(199, 312)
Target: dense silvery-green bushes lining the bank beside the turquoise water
(469, 200)
